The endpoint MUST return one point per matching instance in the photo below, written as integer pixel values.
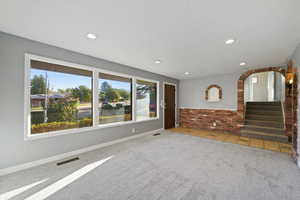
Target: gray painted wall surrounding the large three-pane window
(14, 150)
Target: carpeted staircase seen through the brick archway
(264, 120)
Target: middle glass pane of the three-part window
(115, 99)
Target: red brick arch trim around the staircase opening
(243, 77)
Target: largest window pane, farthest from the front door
(61, 97)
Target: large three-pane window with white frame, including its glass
(62, 97)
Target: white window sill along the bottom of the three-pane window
(80, 130)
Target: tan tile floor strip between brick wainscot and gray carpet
(235, 139)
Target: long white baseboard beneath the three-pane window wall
(24, 166)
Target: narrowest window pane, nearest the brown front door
(146, 98)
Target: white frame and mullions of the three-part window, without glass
(95, 89)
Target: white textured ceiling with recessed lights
(187, 35)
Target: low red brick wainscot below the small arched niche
(225, 120)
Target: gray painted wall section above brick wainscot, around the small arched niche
(192, 92)
